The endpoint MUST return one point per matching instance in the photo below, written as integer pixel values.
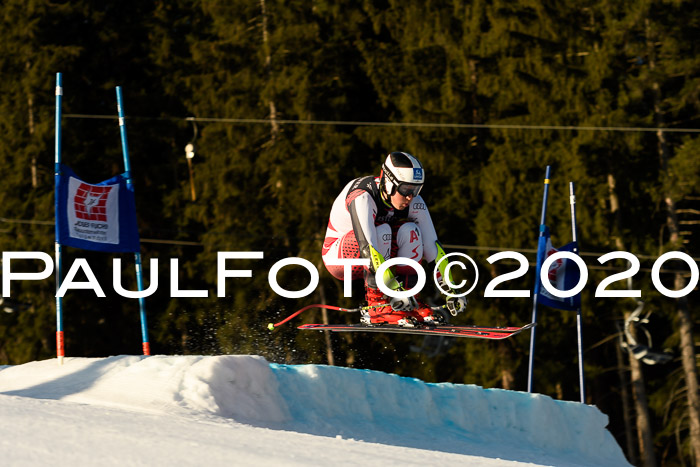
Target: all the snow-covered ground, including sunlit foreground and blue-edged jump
(242, 410)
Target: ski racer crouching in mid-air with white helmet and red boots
(378, 218)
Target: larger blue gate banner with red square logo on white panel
(99, 217)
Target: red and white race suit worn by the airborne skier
(360, 218)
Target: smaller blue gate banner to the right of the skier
(563, 275)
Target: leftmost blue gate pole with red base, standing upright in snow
(60, 349)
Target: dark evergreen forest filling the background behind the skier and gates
(272, 94)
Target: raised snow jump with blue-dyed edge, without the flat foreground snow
(331, 401)
